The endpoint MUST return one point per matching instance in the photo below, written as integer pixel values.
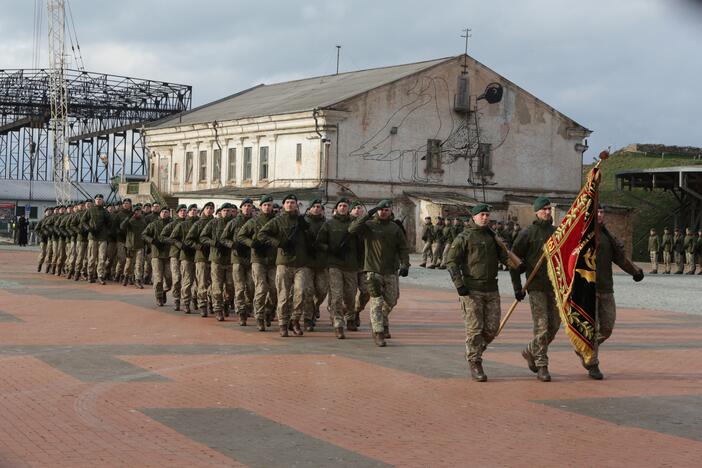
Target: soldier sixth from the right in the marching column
(263, 258)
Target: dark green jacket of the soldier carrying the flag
(529, 246)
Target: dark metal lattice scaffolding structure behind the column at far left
(105, 118)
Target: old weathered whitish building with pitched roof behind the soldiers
(421, 134)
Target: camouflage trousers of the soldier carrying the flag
(544, 314)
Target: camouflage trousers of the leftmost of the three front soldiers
(481, 316)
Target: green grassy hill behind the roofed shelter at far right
(651, 209)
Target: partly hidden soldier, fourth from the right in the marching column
(318, 264)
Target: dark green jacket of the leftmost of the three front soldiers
(473, 259)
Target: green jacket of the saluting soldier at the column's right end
(385, 244)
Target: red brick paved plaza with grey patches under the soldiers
(99, 376)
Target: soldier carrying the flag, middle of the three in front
(529, 246)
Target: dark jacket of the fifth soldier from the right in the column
(288, 230)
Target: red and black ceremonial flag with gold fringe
(570, 255)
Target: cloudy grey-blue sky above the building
(630, 70)
